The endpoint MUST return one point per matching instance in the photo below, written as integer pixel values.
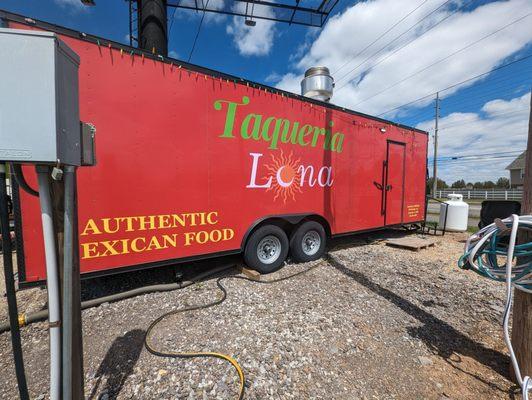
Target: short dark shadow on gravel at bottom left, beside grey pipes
(118, 364)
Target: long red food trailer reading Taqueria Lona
(193, 163)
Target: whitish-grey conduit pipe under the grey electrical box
(52, 281)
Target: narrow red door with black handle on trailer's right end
(395, 181)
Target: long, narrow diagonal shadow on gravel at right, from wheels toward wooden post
(437, 334)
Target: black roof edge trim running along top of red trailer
(9, 16)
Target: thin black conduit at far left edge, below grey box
(10, 289)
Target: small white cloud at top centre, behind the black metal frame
(253, 40)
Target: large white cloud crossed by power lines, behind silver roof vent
(349, 33)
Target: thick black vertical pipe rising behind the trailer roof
(152, 26)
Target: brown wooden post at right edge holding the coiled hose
(522, 317)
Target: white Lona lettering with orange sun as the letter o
(286, 176)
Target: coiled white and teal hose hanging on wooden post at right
(481, 252)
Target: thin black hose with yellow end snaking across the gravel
(169, 354)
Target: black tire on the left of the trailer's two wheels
(263, 237)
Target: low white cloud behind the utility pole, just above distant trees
(500, 126)
